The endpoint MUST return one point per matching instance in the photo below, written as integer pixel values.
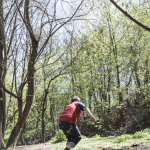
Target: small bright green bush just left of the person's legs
(59, 137)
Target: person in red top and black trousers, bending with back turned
(68, 119)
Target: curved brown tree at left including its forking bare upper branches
(33, 57)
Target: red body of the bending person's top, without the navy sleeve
(71, 113)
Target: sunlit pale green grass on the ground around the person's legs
(97, 142)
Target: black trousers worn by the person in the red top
(71, 132)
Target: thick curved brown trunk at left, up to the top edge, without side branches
(30, 89)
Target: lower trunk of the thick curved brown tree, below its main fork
(23, 116)
